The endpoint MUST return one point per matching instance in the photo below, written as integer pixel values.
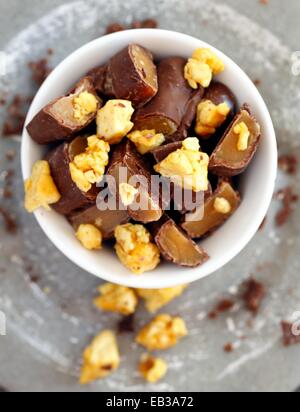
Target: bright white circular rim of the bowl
(189, 275)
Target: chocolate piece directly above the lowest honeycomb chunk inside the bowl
(105, 220)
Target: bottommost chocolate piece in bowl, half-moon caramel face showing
(175, 246)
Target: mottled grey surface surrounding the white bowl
(47, 332)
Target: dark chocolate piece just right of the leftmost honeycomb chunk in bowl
(72, 198)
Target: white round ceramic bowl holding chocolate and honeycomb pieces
(257, 184)
